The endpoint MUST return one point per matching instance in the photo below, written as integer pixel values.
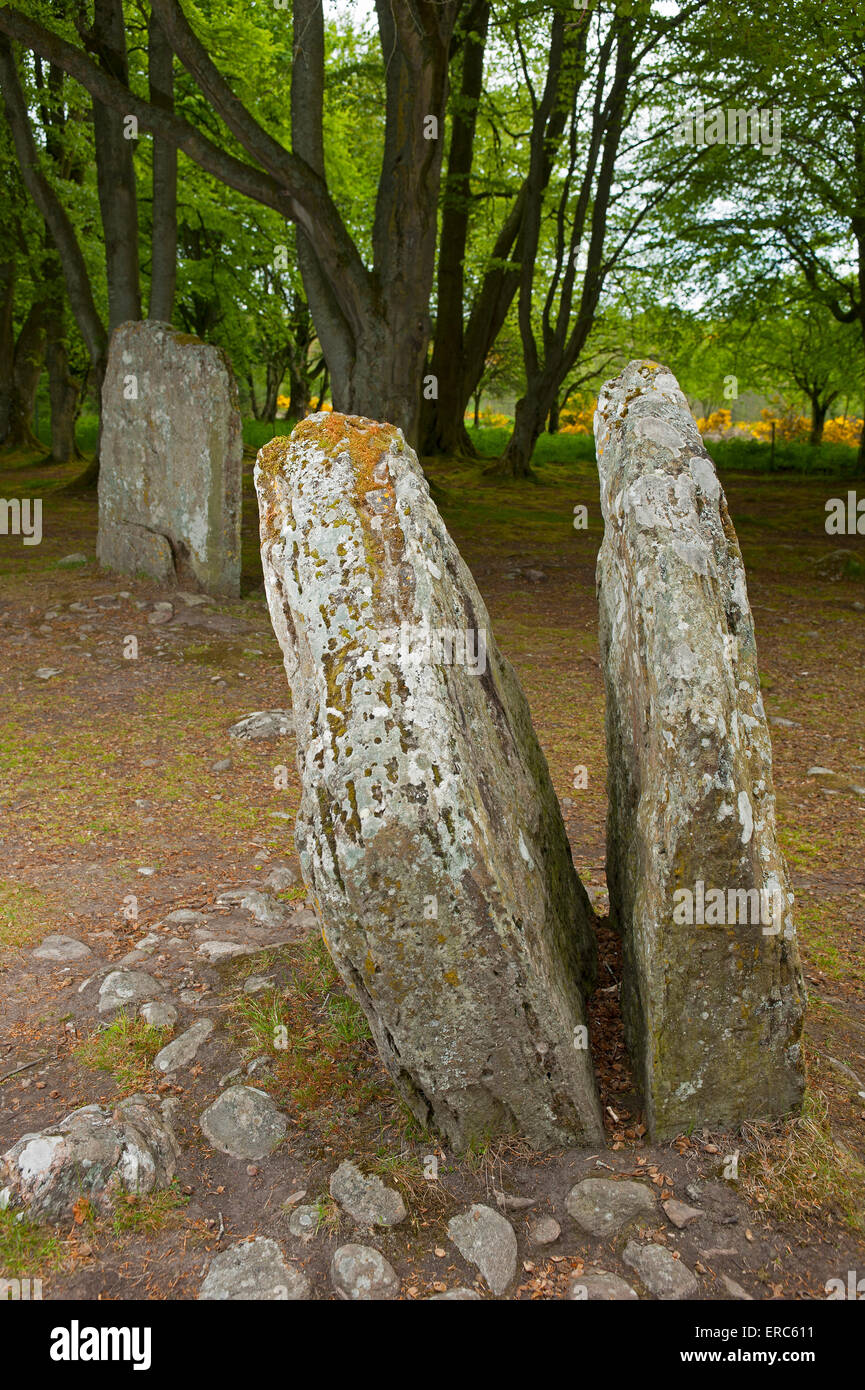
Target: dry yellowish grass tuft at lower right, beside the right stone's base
(796, 1170)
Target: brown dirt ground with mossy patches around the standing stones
(108, 772)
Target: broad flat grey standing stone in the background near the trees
(172, 458)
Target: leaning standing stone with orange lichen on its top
(429, 829)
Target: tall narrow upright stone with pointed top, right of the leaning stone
(713, 993)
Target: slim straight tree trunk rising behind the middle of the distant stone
(163, 243)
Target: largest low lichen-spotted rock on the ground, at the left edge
(94, 1153)
